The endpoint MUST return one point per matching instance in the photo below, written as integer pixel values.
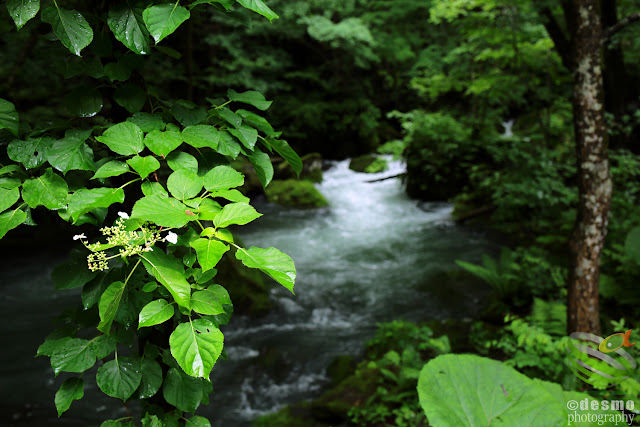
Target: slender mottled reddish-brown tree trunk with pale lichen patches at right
(594, 182)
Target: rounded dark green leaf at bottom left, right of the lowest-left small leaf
(120, 377)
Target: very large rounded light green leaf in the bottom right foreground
(468, 390)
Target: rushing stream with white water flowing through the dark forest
(365, 259)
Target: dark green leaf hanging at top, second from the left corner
(70, 26)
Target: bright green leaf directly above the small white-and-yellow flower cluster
(166, 212)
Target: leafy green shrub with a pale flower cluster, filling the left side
(151, 305)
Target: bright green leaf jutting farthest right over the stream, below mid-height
(272, 262)
